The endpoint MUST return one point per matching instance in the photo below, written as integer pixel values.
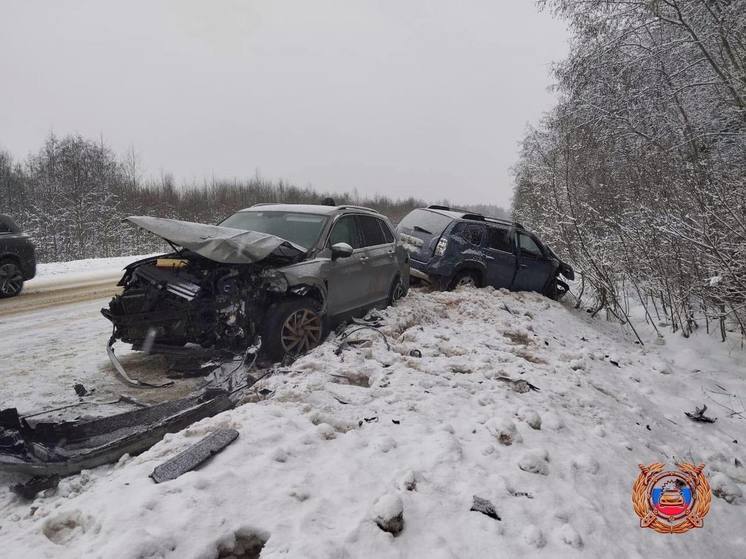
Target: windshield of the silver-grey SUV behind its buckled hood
(299, 228)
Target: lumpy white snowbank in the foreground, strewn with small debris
(343, 438)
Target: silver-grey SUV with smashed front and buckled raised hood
(283, 272)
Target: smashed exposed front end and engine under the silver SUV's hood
(184, 298)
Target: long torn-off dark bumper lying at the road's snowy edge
(65, 448)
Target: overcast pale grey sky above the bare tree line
(400, 97)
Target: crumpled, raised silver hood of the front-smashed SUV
(221, 244)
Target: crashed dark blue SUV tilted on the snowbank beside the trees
(450, 248)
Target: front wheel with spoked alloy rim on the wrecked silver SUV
(292, 327)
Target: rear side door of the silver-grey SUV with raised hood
(379, 255)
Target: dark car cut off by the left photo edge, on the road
(17, 258)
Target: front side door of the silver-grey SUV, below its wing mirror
(348, 279)
